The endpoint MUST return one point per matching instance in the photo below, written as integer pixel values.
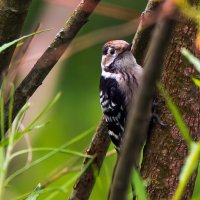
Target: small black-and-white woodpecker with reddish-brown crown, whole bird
(120, 79)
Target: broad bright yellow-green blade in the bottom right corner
(190, 165)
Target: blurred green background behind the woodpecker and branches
(77, 110)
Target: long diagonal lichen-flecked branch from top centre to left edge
(51, 56)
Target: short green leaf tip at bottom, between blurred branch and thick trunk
(139, 186)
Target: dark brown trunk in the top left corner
(12, 17)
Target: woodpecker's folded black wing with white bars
(112, 101)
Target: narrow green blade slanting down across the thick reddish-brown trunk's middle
(177, 115)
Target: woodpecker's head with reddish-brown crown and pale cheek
(117, 56)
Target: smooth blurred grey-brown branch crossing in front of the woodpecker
(137, 123)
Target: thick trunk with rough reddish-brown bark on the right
(166, 150)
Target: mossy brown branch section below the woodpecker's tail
(98, 147)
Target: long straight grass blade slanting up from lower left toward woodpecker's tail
(47, 156)
